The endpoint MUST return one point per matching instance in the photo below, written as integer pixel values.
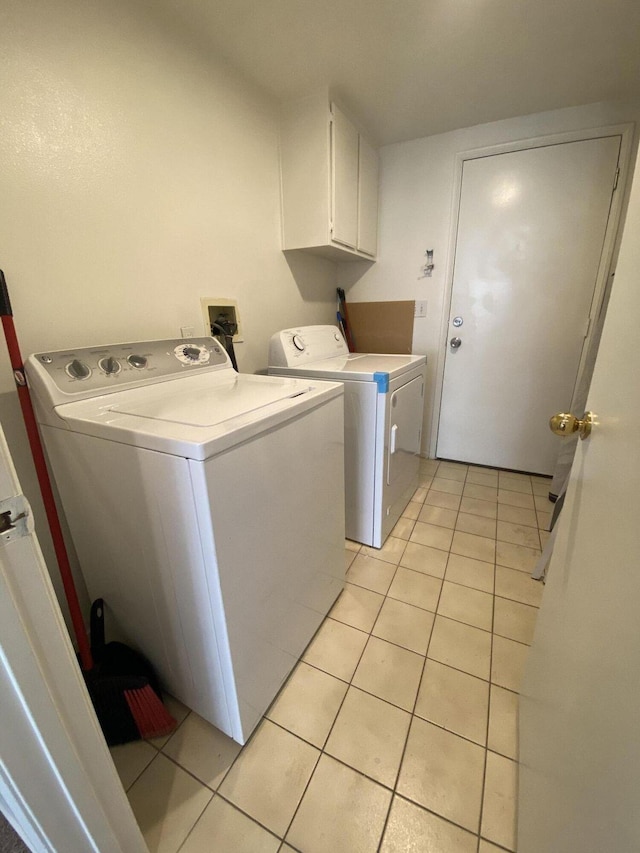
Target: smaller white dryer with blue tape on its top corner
(384, 402)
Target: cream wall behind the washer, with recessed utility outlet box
(137, 175)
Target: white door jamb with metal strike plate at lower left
(58, 785)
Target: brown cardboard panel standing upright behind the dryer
(382, 326)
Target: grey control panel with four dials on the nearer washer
(102, 369)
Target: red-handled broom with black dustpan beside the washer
(123, 687)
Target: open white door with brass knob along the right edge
(579, 745)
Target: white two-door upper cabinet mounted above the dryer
(329, 182)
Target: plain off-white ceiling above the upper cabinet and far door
(412, 68)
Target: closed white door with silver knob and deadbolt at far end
(531, 229)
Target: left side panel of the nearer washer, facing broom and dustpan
(132, 518)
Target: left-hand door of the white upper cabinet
(344, 180)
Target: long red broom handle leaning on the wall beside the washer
(43, 477)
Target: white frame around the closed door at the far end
(609, 250)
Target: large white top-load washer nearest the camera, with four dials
(206, 508)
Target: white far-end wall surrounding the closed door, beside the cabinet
(416, 212)
